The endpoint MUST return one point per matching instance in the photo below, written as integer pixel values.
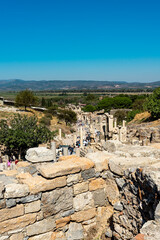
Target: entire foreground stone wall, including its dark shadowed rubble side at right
(80, 198)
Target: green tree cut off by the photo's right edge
(152, 104)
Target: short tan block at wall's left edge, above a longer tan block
(11, 213)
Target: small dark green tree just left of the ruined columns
(68, 116)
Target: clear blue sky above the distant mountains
(80, 39)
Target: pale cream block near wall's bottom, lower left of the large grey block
(43, 226)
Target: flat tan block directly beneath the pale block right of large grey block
(84, 215)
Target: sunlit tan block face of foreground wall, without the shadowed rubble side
(63, 200)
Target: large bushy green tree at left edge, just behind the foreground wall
(22, 133)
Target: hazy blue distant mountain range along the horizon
(18, 85)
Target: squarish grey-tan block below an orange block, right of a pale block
(99, 197)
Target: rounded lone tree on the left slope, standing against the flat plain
(25, 98)
